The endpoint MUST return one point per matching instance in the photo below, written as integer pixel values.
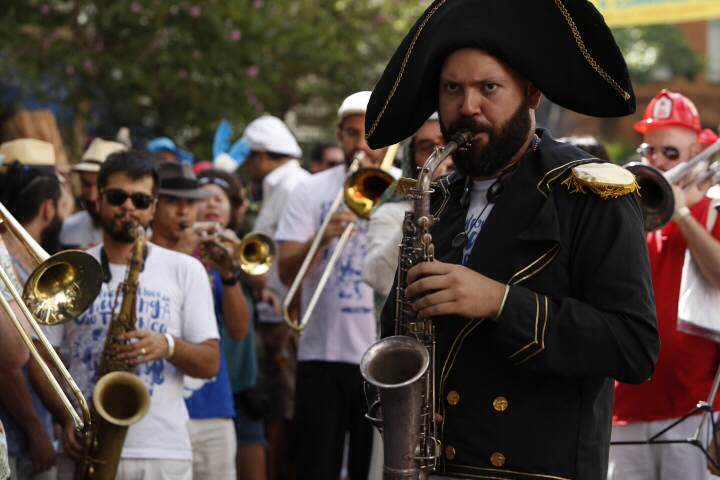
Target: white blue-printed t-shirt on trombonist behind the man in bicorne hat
(342, 326)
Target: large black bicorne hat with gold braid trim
(563, 47)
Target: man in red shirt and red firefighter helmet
(687, 363)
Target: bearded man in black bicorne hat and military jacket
(541, 291)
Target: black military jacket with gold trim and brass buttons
(530, 394)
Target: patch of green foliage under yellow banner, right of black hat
(657, 52)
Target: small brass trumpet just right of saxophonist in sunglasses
(254, 254)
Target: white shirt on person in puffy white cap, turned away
(277, 186)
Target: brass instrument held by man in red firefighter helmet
(656, 195)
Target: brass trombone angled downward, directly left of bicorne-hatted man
(361, 191)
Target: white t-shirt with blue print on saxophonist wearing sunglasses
(173, 297)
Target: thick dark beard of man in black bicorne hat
(486, 160)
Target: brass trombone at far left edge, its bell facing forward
(60, 288)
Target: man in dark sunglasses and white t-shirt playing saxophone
(176, 332)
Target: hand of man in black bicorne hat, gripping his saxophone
(450, 289)
